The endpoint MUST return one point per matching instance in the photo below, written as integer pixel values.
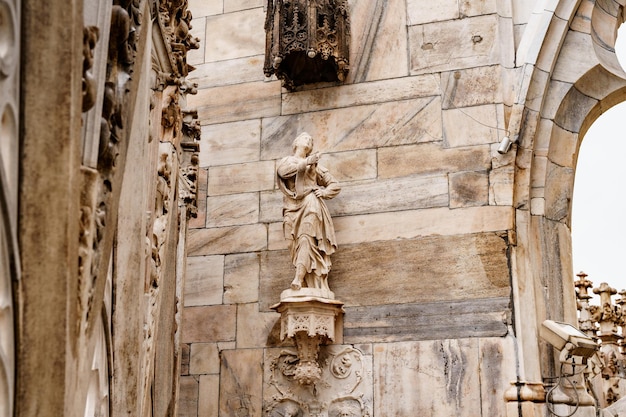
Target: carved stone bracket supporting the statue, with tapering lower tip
(310, 321)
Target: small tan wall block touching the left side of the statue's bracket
(254, 327)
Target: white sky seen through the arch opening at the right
(599, 204)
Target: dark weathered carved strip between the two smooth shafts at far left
(98, 189)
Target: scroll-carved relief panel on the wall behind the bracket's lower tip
(343, 390)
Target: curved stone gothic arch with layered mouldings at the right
(568, 75)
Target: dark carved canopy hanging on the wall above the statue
(307, 41)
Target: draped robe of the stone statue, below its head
(307, 223)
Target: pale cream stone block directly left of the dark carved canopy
(225, 42)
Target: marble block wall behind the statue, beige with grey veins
(424, 220)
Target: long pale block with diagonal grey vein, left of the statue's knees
(226, 240)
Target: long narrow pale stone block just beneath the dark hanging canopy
(360, 94)
